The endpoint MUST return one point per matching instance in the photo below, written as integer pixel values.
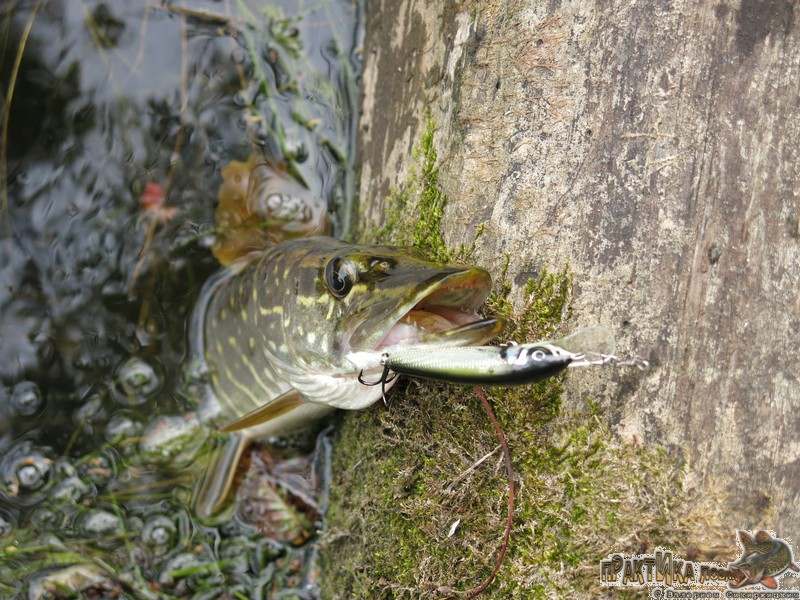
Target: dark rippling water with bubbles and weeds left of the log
(112, 100)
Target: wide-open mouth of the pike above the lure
(445, 312)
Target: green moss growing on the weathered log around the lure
(419, 495)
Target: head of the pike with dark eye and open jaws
(345, 298)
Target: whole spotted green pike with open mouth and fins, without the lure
(275, 333)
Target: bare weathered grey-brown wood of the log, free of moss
(653, 146)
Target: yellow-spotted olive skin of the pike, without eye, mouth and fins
(275, 325)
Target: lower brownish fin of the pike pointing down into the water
(213, 489)
